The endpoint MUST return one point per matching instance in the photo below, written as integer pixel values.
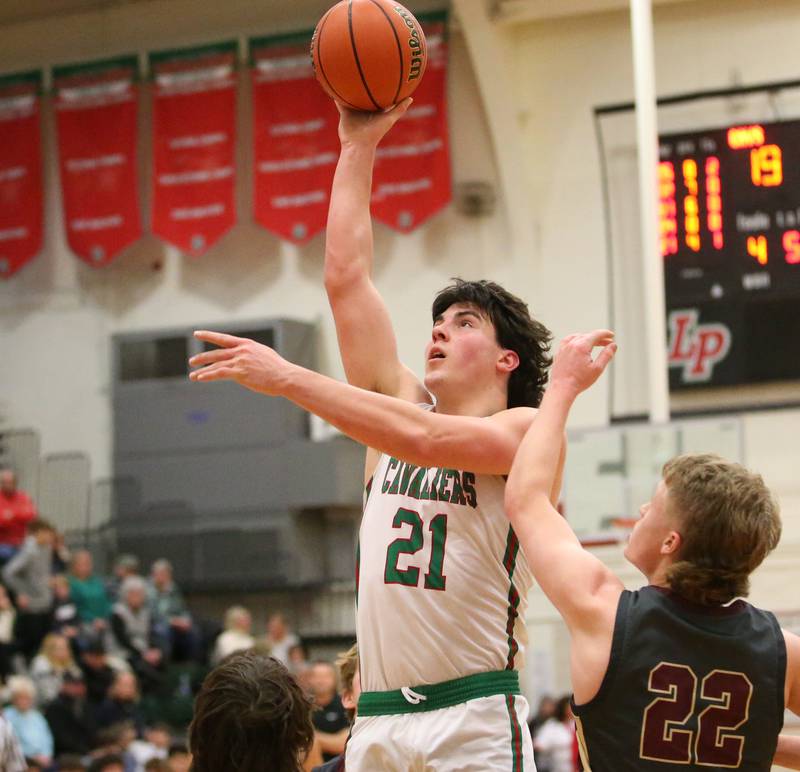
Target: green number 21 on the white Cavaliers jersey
(411, 545)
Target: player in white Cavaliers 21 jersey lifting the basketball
(443, 587)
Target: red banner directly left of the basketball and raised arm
(296, 145)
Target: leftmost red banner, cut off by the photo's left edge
(20, 172)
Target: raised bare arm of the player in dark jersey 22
(578, 584)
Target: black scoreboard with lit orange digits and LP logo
(729, 230)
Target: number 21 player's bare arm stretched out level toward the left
(399, 428)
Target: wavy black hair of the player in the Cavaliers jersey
(515, 329)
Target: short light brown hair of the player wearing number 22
(728, 521)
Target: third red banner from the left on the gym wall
(194, 145)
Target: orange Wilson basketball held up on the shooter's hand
(369, 54)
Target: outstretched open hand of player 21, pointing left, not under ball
(250, 364)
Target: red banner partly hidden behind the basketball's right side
(412, 180)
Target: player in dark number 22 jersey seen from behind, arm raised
(677, 674)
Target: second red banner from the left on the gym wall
(96, 113)
